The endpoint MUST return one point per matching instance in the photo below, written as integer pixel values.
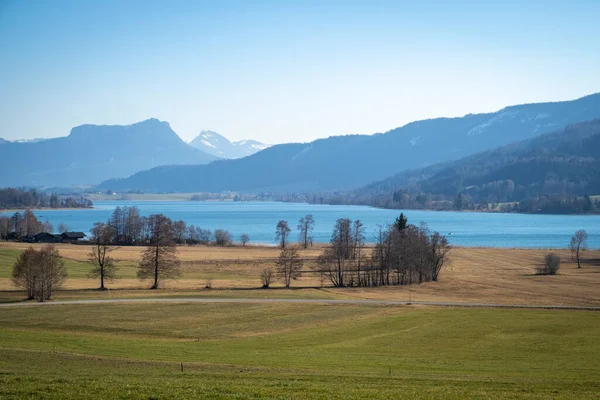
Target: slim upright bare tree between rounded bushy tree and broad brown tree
(104, 266)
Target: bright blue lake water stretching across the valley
(258, 220)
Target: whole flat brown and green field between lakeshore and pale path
(491, 276)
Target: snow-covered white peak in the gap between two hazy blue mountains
(216, 144)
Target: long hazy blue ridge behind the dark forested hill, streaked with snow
(342, 162)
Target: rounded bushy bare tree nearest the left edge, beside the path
(39, 272)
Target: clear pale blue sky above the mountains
(283, 71)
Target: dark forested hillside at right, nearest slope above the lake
(566, 161)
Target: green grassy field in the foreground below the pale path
(296, 351)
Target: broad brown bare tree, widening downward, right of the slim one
(159, 260)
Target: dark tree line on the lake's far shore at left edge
(23, 198)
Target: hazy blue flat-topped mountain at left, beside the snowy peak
(93, 153)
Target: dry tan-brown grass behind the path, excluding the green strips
(475, 275)
